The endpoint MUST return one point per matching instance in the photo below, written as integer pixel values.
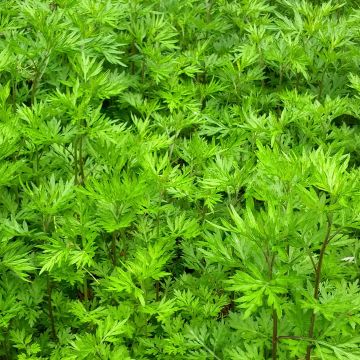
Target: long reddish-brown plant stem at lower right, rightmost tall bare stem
(317, 283)
